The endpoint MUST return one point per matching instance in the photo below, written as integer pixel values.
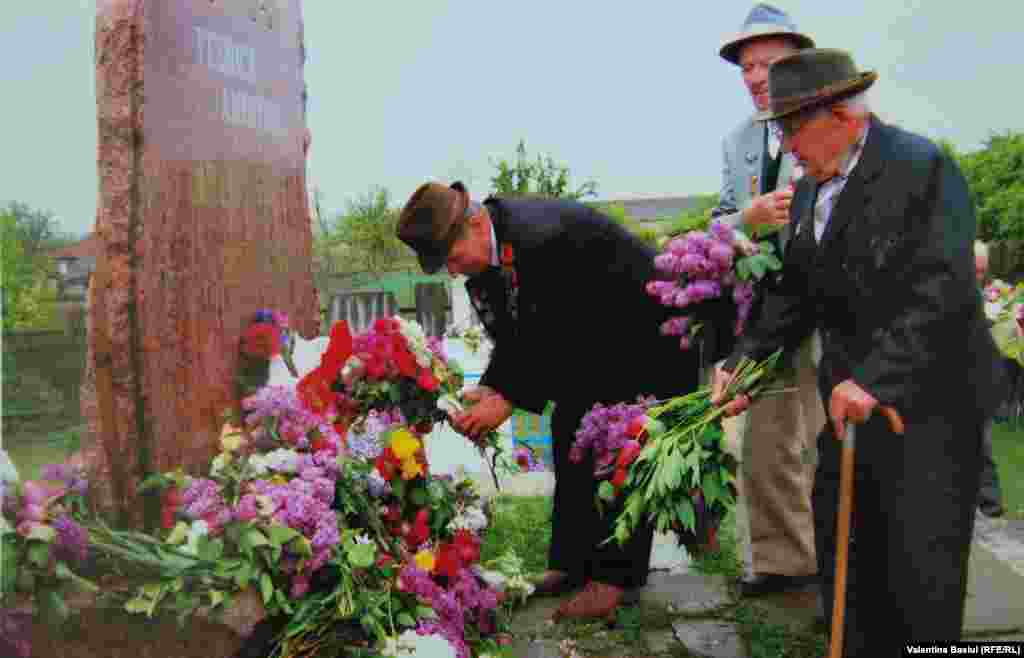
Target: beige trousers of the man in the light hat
(778, 445)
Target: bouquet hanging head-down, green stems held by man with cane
(664, 462)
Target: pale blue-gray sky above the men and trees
(631, 96)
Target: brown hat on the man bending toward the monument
(431, 221)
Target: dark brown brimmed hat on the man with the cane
(813, 78)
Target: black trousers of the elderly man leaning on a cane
(915, 500)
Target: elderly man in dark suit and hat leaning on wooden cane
(880, 262)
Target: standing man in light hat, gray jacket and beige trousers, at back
(779, 432)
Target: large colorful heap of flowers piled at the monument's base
(319, 513)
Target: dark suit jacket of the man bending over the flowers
(587, 331)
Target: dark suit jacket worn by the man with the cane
(891, 286)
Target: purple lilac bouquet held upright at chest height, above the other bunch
(703, 267)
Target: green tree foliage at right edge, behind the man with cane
(996, 177)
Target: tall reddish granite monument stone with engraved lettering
(203, 220)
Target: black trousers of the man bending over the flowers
(577, 529)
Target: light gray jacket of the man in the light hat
(743, 173)
